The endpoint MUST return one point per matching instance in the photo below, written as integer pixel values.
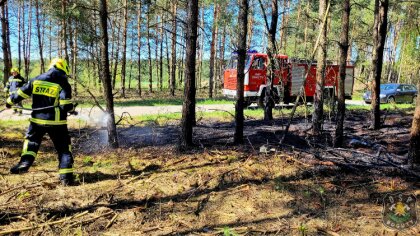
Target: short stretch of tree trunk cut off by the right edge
(414, 151)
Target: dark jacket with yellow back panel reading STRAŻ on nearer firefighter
(51, 97)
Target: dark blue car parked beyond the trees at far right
(394, 93)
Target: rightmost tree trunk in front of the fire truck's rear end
(344, 46)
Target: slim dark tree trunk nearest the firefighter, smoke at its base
(106, 75)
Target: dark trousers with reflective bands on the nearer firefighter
(59, 135)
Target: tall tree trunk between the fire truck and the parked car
(379, 35)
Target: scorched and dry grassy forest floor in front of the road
(301, 187)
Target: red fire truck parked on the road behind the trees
(289, 76)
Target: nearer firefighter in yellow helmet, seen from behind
(51, 101)
